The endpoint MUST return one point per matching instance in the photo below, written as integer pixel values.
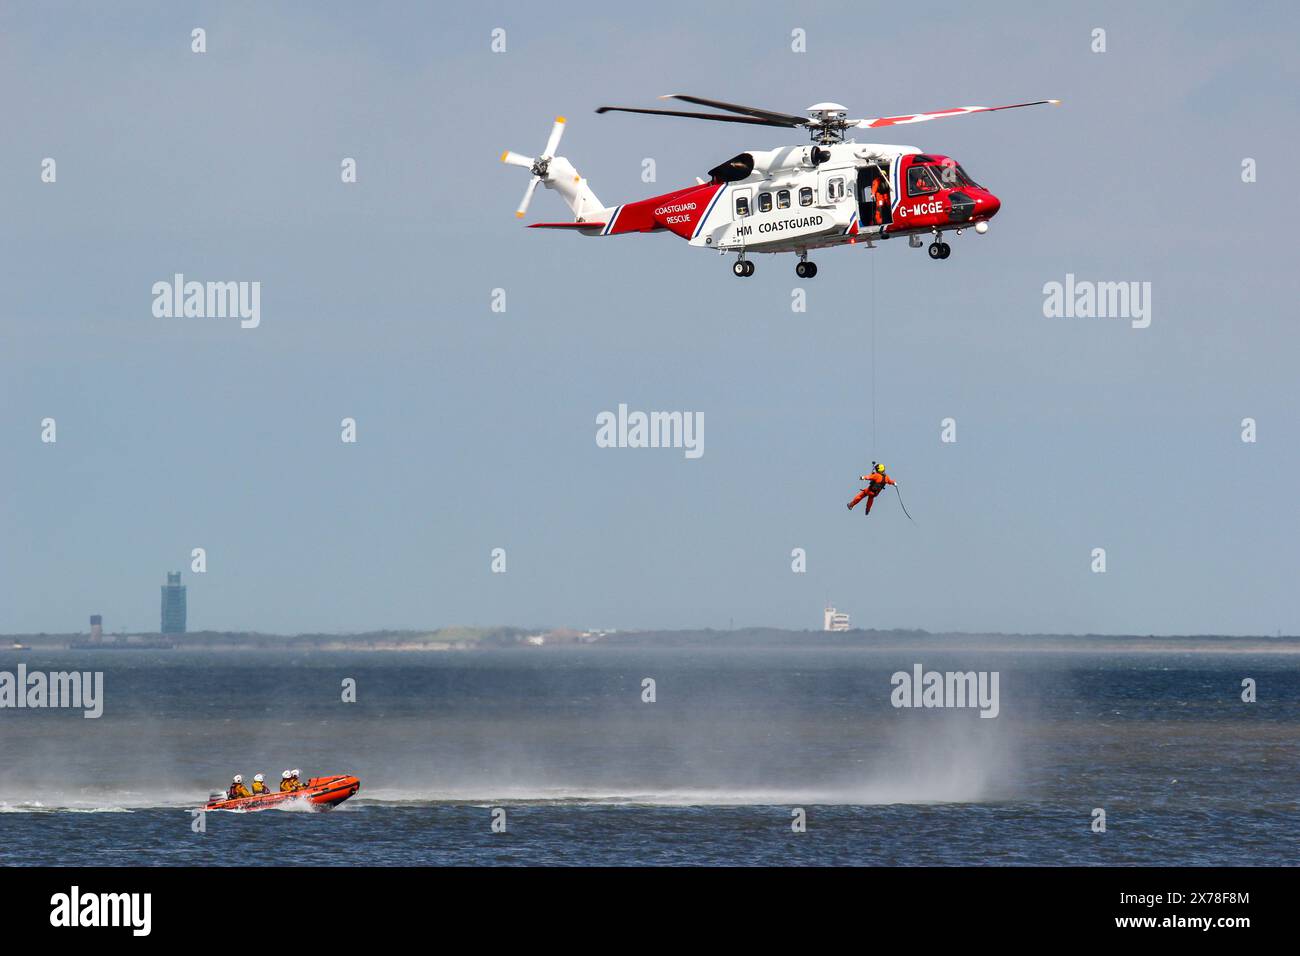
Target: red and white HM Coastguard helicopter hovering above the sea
(833, 192)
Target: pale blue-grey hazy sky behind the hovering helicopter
(476, 430)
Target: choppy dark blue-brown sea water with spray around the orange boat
(710, 773)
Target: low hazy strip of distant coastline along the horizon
(450, 639)
